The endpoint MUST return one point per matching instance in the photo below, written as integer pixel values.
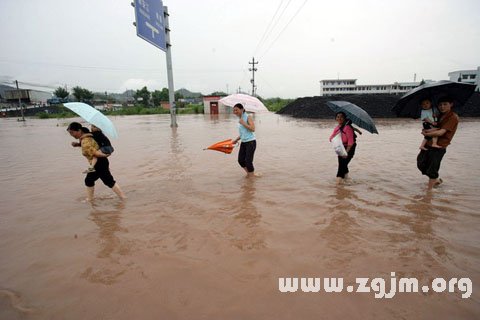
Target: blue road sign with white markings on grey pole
(150, 22)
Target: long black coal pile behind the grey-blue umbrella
(376, 105)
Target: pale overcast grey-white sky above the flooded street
(93, 44)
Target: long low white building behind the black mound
(349, 86)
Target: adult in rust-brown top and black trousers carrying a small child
(428, 161)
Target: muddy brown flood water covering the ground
(197, 240)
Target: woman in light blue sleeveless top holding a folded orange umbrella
(246, 128)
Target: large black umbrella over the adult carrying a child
(409, 104)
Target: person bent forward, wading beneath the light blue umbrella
(90, 149)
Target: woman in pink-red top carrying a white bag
(345, 128)
